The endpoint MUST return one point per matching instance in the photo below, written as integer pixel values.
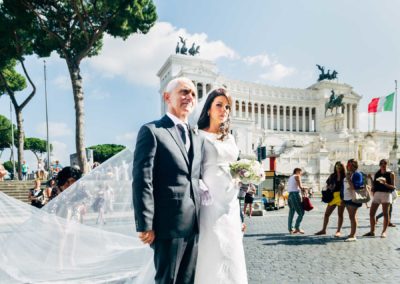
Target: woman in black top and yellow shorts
(335, 183)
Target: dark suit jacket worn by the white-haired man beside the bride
(166, 181)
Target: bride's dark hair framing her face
(204, 120)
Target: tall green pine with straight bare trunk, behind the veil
(75, 30)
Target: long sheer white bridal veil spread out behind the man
(85, 235)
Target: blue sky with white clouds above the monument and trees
(271, 42)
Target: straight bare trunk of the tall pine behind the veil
(77, 88)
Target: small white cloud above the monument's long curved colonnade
(272, 70)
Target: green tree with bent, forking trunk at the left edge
(17, 32)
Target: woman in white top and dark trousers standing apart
(295, 189)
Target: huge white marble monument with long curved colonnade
(290, 121)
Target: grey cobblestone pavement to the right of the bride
(274, 256)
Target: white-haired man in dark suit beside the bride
(166, 171)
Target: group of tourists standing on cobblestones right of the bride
(343, 182)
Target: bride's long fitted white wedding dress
(221, 255)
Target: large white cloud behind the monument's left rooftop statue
(139, 57)
